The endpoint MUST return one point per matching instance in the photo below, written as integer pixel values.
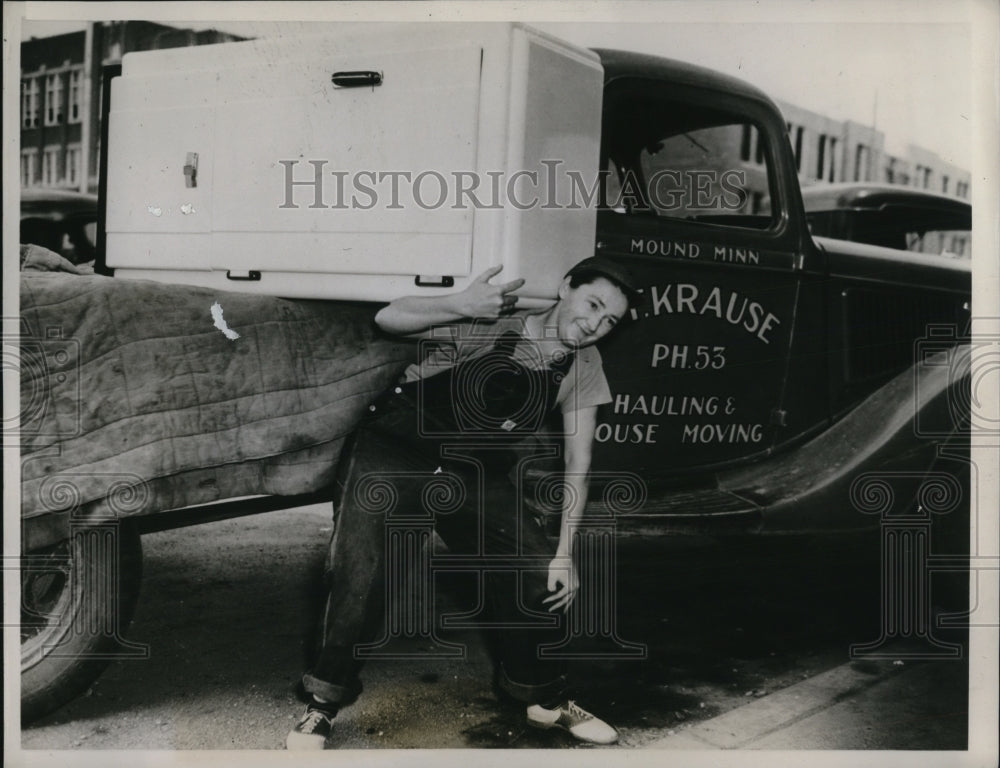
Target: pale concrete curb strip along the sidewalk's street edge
(741, 727)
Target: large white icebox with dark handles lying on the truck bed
(379, 161)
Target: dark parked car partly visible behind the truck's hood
(891, 216)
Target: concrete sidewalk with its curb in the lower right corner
(860, 705)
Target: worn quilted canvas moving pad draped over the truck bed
(138, 397)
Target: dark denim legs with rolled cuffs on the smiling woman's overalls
(384, 474)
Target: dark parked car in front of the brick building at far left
(60, 220)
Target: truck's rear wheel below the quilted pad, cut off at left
(77, 598)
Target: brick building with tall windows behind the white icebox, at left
(61, 95)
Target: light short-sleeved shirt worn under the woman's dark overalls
(583, 386)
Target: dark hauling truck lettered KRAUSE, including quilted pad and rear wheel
(769, 383)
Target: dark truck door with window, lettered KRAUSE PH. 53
(698, 376)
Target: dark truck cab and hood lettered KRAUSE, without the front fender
(752, 338)
